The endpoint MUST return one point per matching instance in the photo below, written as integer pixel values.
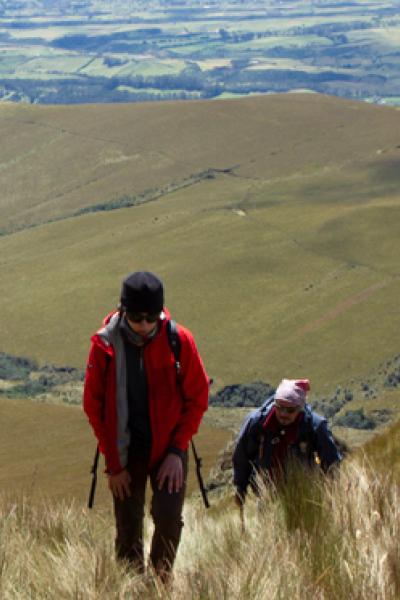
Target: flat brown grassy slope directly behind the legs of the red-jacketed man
(48, 450)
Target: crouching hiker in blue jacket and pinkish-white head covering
(284, 426)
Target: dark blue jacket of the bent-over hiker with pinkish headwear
(253, 448)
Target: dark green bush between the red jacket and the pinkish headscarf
(238, 395)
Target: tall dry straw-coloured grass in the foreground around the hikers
(314, 538)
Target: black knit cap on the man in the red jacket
(142, 292)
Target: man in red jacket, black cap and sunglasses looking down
(144, 417)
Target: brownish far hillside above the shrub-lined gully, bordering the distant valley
(60, 158)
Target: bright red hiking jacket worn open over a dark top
(175, 409)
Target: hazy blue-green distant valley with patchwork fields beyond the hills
(95, 51)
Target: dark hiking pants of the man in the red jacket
(166, 512)
